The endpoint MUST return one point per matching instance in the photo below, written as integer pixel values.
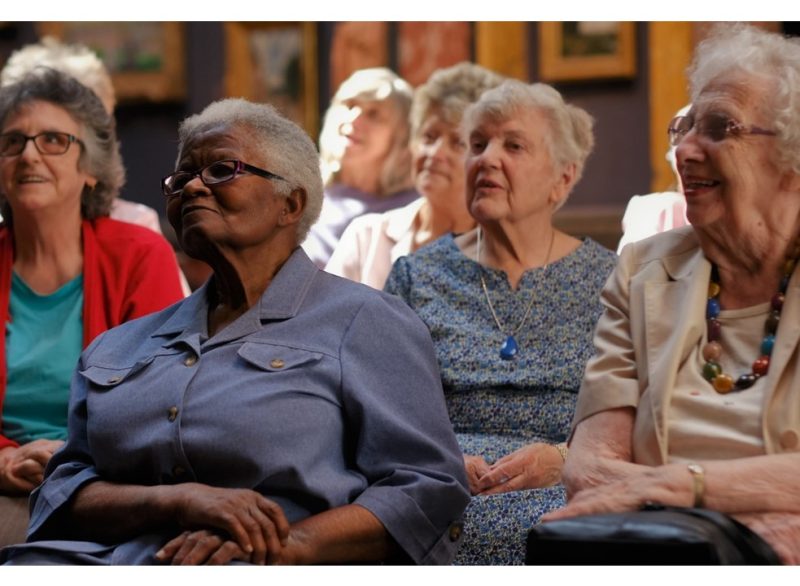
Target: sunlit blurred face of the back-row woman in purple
(368, 132)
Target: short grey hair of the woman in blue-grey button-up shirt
(287, 147)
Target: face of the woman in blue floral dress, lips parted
(511, 175)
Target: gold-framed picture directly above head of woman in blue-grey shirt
(275, 62)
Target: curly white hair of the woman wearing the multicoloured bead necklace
(744, 51)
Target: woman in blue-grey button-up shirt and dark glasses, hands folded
(266, 418)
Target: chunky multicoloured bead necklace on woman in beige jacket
(712, 371)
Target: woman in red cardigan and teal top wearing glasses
(67, 272)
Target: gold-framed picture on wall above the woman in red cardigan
(146, 59)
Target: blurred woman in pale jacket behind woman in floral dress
(373, 242)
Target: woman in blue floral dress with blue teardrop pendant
(511, 307)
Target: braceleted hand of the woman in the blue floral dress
(532, 466)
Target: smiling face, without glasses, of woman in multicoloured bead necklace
(730, 182)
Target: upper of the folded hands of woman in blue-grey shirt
(254, 523)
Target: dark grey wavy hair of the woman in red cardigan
(100, 156)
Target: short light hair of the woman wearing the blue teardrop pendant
(570, 139)
